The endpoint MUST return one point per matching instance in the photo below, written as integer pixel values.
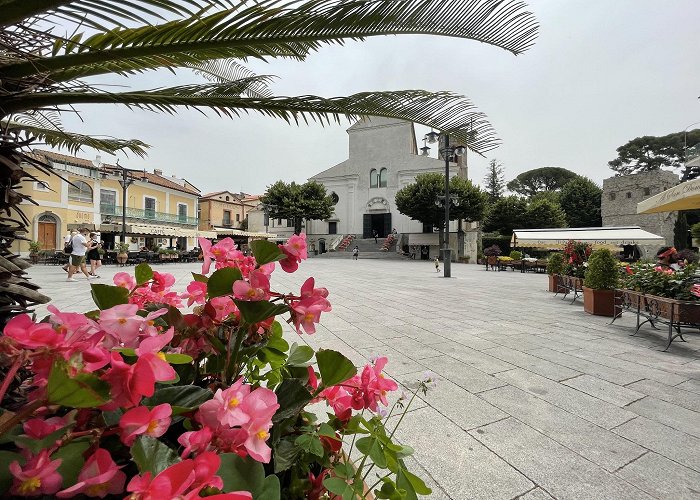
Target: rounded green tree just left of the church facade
(297, 202)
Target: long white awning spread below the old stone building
(598, 237)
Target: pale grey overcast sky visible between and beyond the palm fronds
(601, 73)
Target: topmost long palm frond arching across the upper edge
(274, 27)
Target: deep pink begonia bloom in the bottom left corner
(37, 477)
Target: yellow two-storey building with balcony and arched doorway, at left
(161, 211)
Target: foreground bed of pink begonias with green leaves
(140, 397)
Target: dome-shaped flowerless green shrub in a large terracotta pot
(601, 280)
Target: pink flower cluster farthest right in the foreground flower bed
(364, 391)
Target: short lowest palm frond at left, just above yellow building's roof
(53, 136)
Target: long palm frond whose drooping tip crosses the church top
(441, 110)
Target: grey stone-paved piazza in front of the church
(535, 399)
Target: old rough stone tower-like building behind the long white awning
(621, 195)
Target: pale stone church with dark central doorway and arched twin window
(383, 158)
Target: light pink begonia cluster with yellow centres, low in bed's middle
(236, 420)
